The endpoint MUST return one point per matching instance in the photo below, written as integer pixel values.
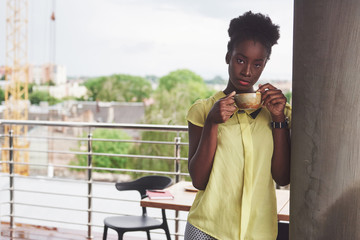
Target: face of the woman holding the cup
(246, 63)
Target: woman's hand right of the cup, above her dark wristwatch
(274, 100)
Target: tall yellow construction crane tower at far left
(17, 77)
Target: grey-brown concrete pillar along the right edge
(325, 164)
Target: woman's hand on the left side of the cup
(223, 109)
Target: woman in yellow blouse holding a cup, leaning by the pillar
(235, 155)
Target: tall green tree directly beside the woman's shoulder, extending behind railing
(175, 94)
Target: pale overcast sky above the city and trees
(147, 37)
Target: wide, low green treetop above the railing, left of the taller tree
(121, 87)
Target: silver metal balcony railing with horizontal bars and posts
(88, 180)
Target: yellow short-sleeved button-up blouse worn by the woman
(239, 201)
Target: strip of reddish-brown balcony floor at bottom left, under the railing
(31, 232)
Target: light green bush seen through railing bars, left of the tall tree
(108, 148)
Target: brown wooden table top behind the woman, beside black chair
(183, 200)
